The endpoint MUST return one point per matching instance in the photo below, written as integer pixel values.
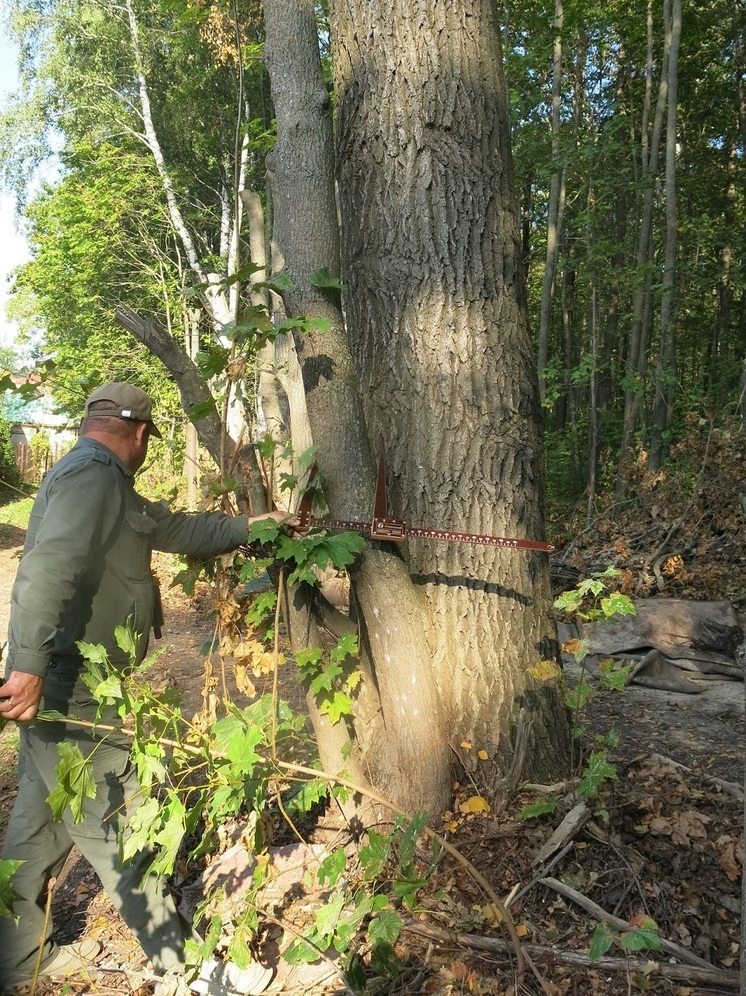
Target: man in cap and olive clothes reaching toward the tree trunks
(86, 570)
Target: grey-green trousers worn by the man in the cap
(43, 844)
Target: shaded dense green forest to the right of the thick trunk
(610, 67)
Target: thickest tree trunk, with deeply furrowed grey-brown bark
(438, 327)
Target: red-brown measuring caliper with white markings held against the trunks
(396, 531)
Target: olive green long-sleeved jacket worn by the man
(85, 567)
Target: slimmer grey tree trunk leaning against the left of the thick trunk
(397, 726)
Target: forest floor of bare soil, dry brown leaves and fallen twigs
(663, 841)
